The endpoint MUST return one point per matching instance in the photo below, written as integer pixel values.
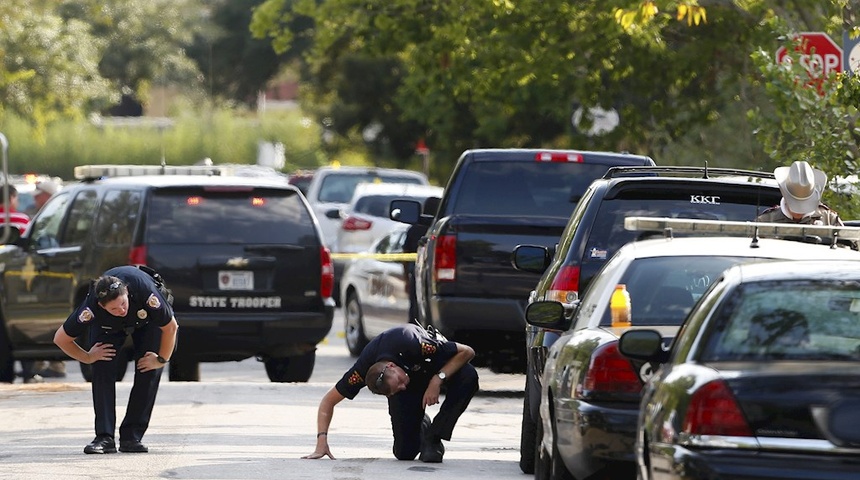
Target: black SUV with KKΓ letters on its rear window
(596, 231)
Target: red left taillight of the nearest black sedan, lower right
(713, 410)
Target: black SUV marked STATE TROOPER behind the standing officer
(243, 257)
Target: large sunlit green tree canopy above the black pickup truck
(504, 73)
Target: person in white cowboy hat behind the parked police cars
(801, 187)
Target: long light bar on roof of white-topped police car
(734, 228)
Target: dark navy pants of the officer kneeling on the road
(407, 413)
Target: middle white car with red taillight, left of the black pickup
(366, 218)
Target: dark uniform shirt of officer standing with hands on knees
(145, 305)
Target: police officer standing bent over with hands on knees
(124, 301)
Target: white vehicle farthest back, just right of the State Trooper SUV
(332, 188)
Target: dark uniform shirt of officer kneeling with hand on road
(409, 346)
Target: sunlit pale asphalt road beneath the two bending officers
(235, 424)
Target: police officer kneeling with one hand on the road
(408, 365)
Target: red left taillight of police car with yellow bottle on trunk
(610, 372)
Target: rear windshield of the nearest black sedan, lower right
(787, 320)
